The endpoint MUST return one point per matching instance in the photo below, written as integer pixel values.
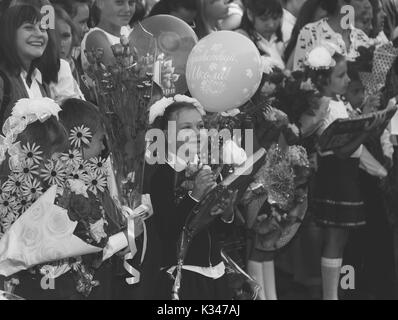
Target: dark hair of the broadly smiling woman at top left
(13, 18)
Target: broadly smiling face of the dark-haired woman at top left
(31, 41)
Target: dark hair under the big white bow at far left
(50, 136)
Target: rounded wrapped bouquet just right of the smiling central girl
(276, 201)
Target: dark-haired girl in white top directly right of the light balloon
(262, 23)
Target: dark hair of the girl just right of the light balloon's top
(258, 8)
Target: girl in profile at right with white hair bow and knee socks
(337, 196)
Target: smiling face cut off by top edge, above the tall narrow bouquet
(118, 12)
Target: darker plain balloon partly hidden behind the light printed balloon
(175, 40)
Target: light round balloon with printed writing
(224, 71)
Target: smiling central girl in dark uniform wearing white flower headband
(203, 275)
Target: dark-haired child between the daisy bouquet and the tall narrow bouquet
(112, 276)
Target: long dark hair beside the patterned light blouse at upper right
(305, 16)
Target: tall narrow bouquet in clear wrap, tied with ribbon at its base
(124, 91)
